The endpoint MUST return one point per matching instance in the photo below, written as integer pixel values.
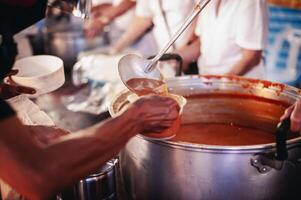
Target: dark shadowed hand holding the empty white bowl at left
(11, 89)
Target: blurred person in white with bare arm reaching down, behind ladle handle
(165, 15)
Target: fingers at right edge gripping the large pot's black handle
(294, 113)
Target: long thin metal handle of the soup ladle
(197, 9)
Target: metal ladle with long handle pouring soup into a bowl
(133, 66)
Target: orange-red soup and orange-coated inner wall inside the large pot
(215, 113)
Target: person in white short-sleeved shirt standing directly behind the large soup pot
(231, 37)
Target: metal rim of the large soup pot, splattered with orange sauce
(294, 92)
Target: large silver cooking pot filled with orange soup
(179, 170)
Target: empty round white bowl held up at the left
(44, 73)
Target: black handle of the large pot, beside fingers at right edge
(281, 134)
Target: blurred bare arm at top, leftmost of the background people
(104, 15)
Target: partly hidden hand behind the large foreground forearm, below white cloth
(46, 134)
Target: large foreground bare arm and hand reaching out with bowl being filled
(38, 171)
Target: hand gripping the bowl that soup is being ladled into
(154, 113)
